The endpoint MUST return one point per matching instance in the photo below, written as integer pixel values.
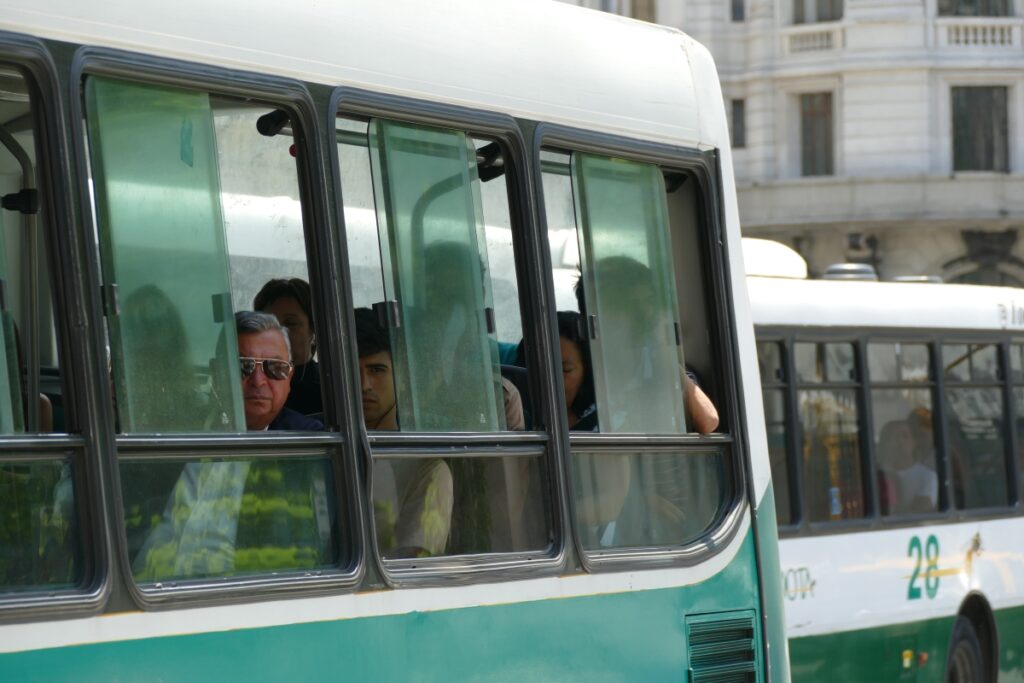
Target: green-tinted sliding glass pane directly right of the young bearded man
(436, 268)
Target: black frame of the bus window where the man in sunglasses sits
(293, 97)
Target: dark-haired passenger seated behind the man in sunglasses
(290, 302)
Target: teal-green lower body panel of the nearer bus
(636, 636)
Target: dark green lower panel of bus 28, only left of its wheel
(874, 655)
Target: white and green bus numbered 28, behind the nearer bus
(894, 414)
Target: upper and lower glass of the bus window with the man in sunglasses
(196, 211)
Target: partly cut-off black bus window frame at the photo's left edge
(34, 59)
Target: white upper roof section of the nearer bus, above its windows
(538, 59)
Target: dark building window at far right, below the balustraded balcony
(980, 130)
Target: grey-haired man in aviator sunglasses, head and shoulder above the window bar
(265, 356)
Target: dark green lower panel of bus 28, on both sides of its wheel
(877, 656)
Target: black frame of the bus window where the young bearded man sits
(533, 287)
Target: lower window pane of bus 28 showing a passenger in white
(905, 450)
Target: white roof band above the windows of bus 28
(824, 304)
